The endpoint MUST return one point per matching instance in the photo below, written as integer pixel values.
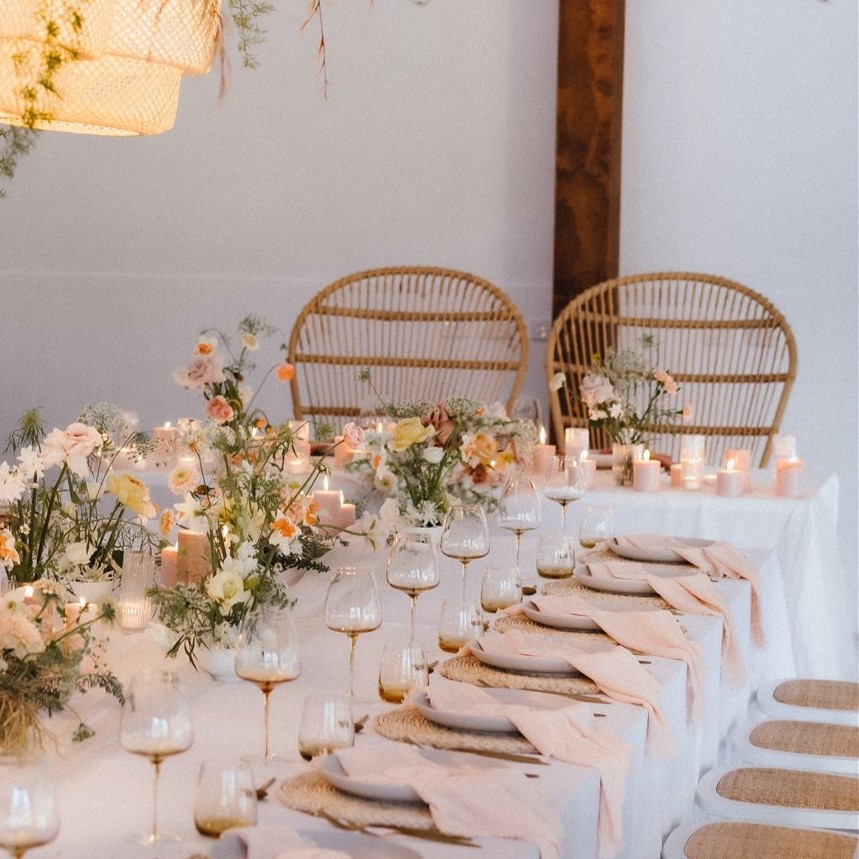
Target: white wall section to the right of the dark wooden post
(740, 159)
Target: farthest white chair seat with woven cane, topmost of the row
(810, 700)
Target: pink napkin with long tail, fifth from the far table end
(564, 733)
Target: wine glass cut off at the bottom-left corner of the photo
(28, 807)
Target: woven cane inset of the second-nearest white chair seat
(790, 789)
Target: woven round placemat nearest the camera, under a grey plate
(312, 793)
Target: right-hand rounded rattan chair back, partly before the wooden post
(731, 351)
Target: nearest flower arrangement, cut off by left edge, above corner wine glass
(47, 654)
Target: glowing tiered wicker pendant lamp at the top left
(125, 78)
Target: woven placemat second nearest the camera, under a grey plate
(407, 725)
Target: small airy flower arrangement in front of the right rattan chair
(624, 395)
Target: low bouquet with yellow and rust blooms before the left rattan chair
(429, 455)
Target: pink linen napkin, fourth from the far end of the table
(615, 671)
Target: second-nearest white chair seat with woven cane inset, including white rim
(781, 797)
